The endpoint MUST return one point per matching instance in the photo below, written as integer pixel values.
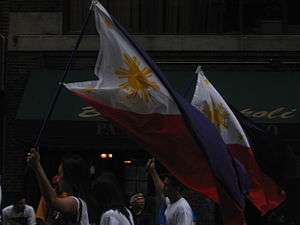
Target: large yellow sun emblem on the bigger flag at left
(138, 84)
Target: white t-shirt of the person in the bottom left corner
(9, 214)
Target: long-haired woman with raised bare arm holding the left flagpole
(74, 173)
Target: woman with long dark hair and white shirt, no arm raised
(111, 205)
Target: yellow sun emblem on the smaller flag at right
(217, 115)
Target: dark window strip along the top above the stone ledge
(192, 16)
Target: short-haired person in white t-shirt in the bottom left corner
(19, 213)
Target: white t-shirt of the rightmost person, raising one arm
(178, 213)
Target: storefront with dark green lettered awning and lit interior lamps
(268, 97)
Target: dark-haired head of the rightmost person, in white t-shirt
(172, 187)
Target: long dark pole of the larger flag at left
(67, 69)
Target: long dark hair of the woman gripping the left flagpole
(76, 181)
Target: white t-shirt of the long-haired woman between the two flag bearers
(114, 217)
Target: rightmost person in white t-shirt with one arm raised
(178, 211)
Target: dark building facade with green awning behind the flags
(256, 39)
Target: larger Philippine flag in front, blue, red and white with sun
(132, 92)
